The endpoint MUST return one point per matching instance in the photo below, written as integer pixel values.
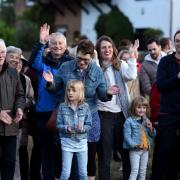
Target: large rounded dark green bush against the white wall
(116, 25)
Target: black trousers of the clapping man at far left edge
(7, 157)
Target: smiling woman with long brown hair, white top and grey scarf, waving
(113, 113)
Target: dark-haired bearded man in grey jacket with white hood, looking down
(149, 66)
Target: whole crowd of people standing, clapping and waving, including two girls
(89, 104)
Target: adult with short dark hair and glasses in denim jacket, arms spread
(84, 69)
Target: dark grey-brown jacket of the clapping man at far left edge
(11, 98)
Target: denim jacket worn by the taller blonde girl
(68, 117)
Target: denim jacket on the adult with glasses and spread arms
(94, 82)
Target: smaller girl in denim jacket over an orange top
(137, 131)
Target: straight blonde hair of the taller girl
(78, 85)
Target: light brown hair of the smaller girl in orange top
(139, 101)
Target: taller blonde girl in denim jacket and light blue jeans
(73, 123)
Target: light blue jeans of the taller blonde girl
(67, 162)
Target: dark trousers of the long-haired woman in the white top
(111, 127)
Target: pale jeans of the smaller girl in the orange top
(138, 161)
